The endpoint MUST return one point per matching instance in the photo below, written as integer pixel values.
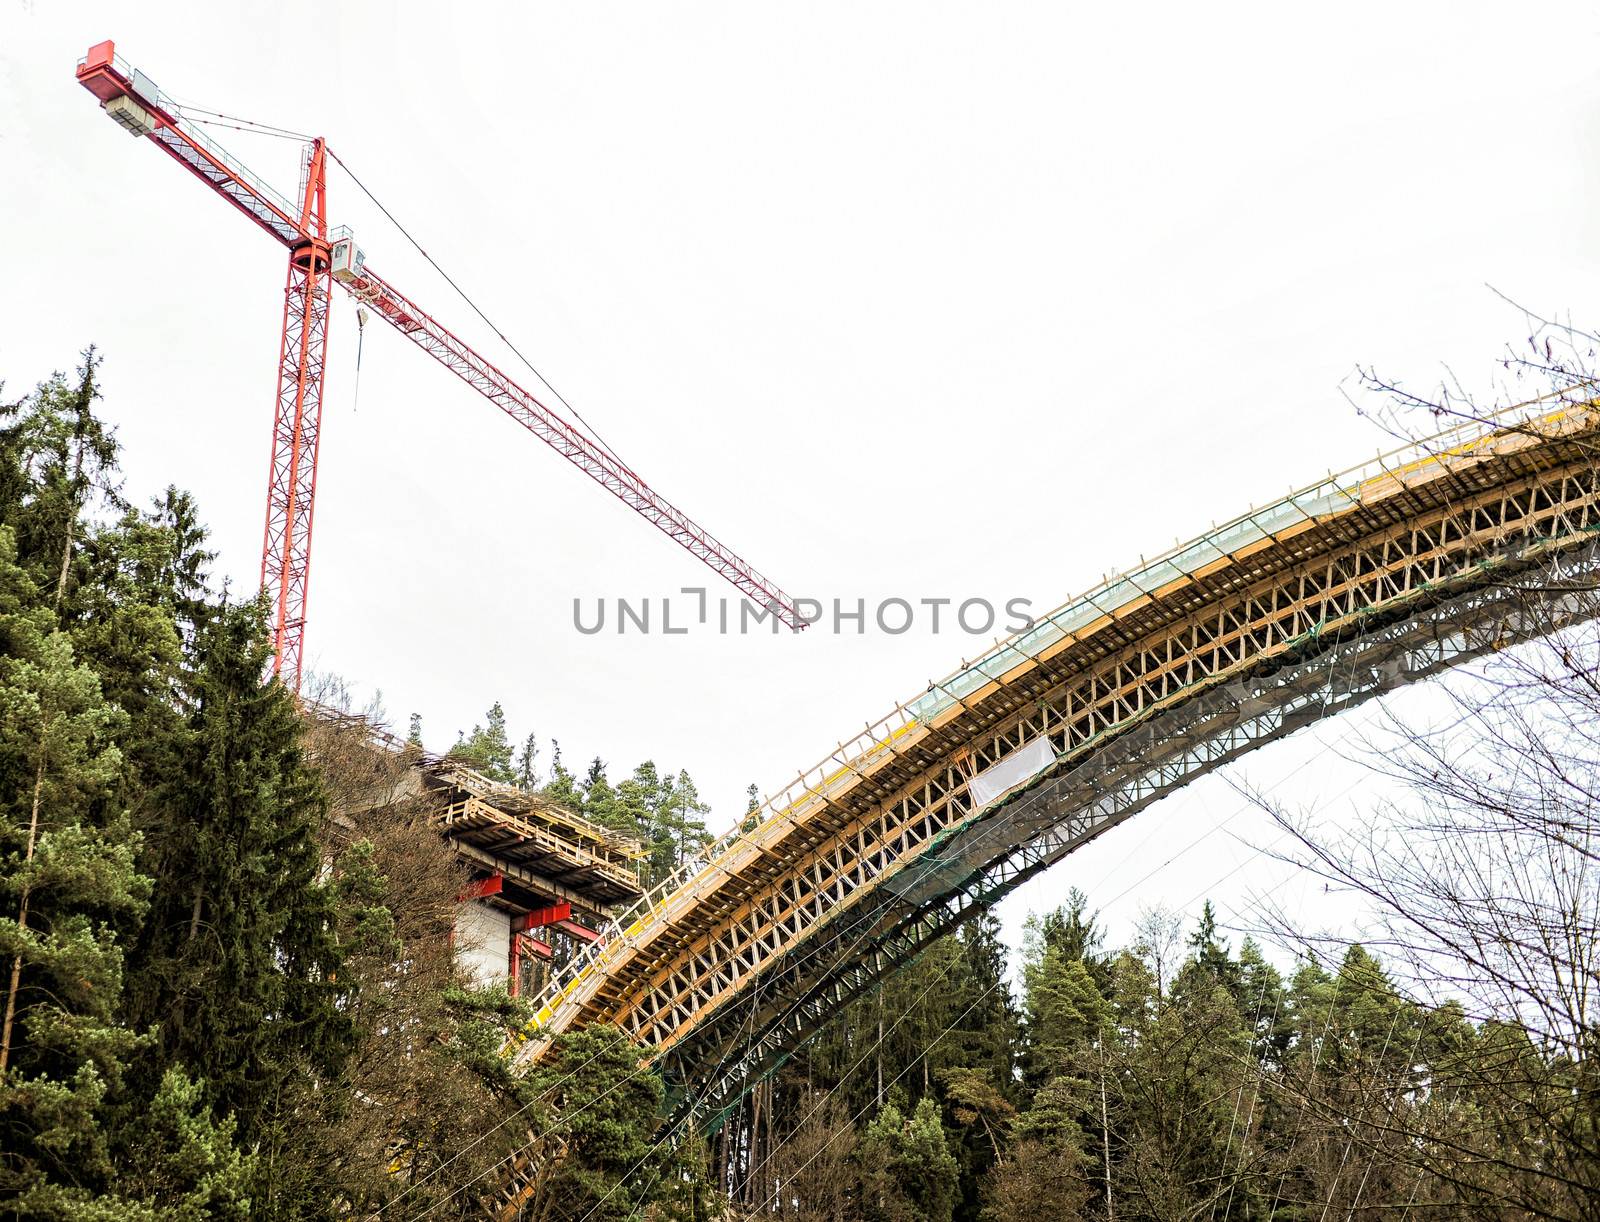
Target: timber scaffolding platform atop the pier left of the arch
(542, 853)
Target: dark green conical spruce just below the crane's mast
(238, 965)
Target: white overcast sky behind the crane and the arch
(898, 300)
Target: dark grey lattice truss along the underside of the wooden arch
(724, 1058)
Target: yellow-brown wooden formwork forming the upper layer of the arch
(1402, 538)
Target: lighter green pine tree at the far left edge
(73, 895)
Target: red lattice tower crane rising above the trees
(319, 258)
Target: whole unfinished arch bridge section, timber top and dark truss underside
(1359, 585)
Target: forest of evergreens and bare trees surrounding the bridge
(230, 992)
